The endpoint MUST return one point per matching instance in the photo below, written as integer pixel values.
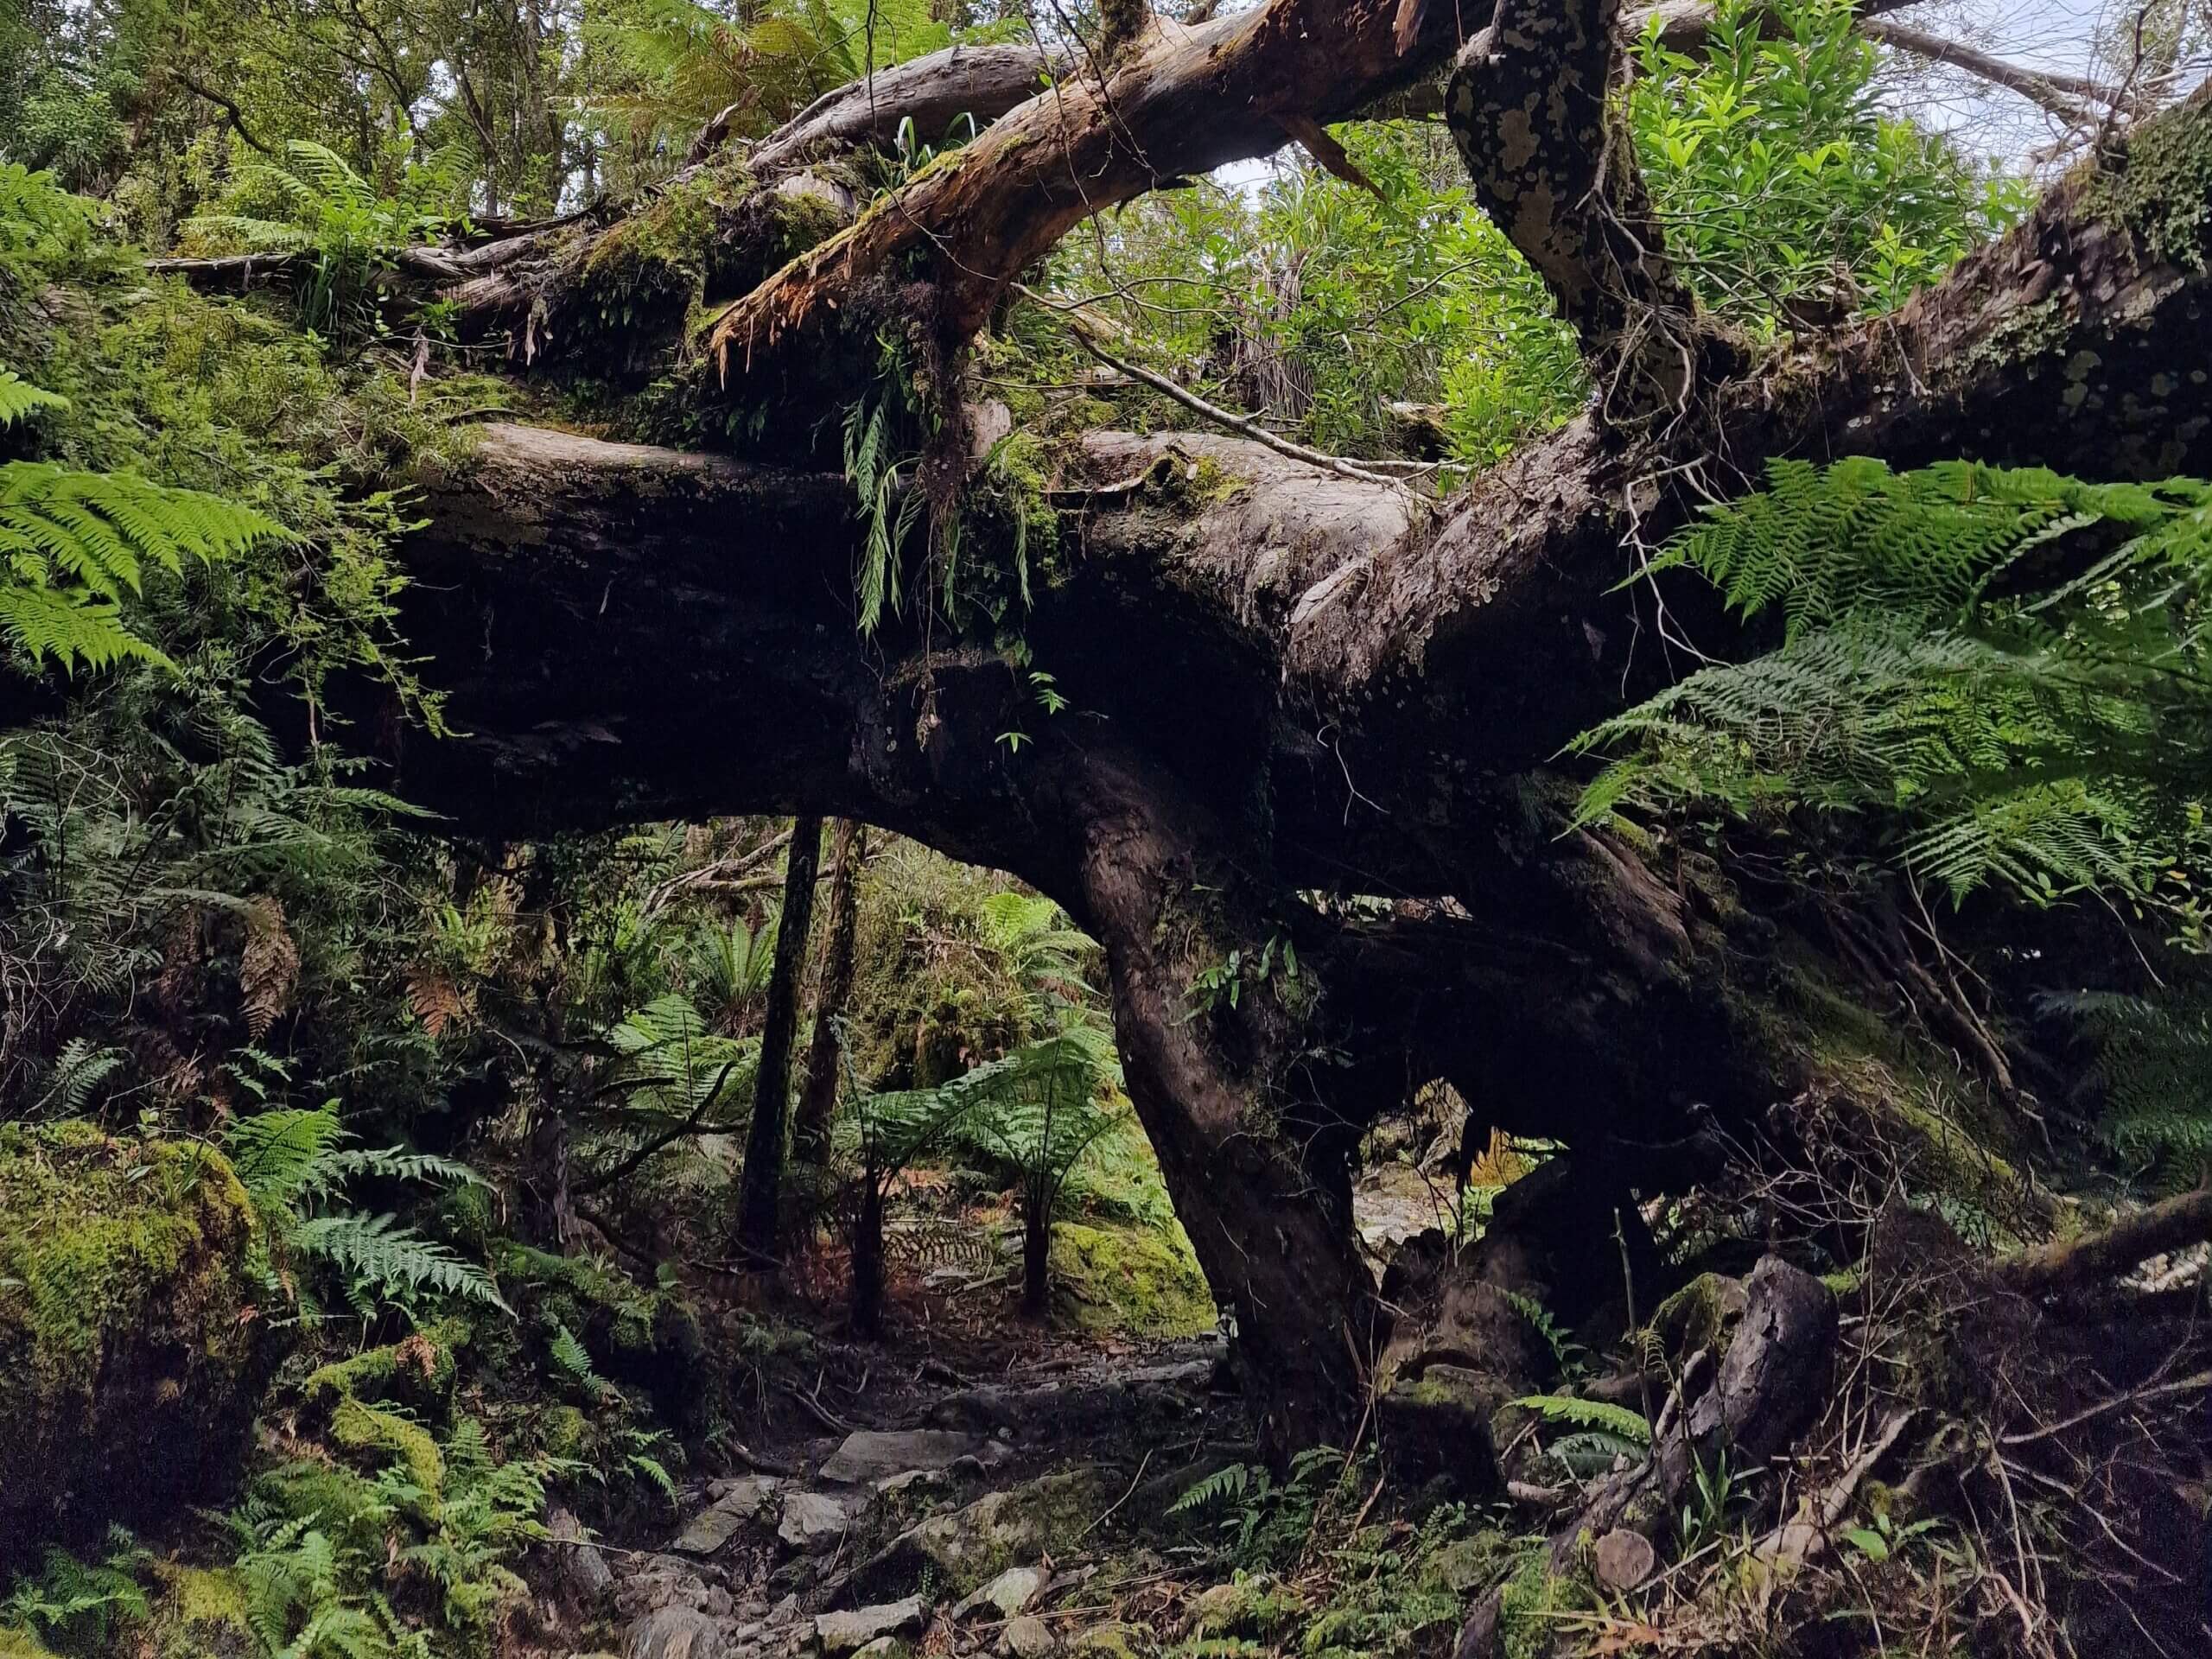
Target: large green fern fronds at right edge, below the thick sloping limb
(2005, 665)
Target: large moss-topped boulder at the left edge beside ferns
(129, 1350)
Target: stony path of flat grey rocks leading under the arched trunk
(970, 1514)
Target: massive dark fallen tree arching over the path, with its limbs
(1377, 691)
